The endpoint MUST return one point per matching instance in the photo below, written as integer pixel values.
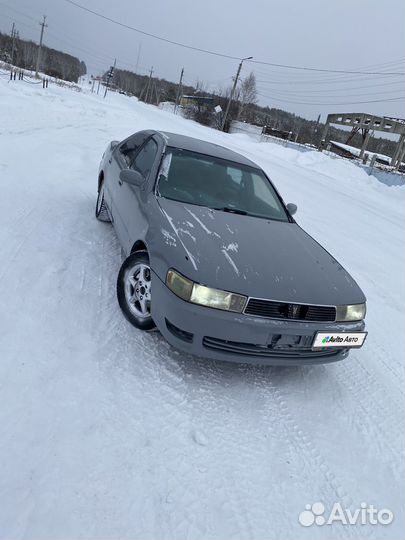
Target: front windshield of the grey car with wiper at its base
(216, 183)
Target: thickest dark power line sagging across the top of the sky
(215, 53)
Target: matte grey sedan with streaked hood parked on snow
(215, 260)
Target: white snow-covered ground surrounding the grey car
(107, 432)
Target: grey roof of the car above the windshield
(204, 147)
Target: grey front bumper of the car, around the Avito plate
(236, 337)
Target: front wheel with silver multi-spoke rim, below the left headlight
(134, 290)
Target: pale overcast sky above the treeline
(359, 35)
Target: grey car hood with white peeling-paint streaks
(251, 256)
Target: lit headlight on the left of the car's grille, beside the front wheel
(204, 296)
